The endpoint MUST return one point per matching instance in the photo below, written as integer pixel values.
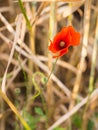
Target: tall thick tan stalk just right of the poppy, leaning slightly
(83, 52)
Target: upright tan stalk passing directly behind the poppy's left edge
(52, 32)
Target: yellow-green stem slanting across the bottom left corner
(13, 108)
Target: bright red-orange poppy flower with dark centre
(63, 40)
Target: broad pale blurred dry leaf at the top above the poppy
(62, 12)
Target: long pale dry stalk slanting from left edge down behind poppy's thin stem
(34, 58)
